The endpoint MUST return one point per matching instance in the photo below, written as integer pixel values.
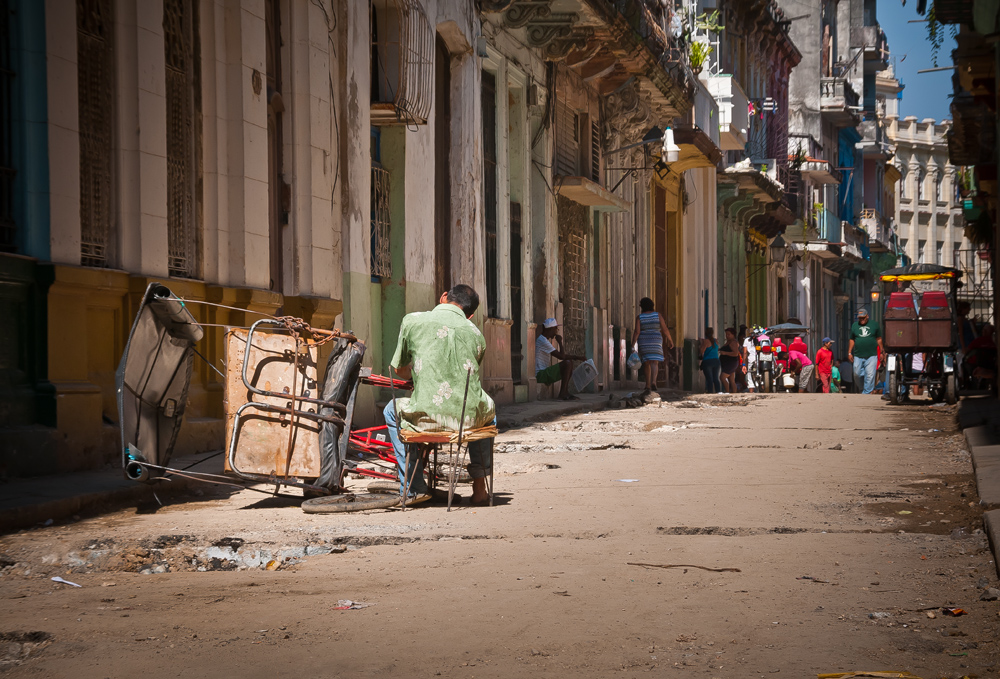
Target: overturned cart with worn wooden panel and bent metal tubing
(287, 423)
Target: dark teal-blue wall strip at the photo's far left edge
(29, 122)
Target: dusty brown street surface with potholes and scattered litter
(803, 534)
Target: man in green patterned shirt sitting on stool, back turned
(437, 349)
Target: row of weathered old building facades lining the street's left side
(347, 161)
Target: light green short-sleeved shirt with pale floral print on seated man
(441, 345)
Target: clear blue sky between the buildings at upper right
(926, 95)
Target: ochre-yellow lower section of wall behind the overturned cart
(90, 314)
